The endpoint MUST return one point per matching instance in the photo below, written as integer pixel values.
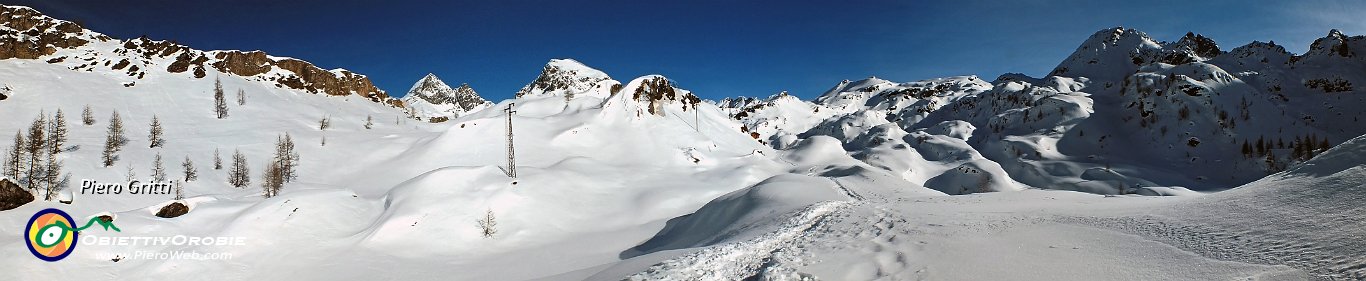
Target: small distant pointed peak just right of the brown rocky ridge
(432, 99)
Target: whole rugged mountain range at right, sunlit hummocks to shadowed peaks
(1125, 113)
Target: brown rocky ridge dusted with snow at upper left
(27, 33)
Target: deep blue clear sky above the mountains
(714, 48)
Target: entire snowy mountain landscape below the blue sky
(1133, 160)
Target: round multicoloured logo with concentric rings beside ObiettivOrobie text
(50, 235)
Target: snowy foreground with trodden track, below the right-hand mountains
(1297, 224)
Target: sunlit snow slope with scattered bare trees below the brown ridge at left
(185, 108)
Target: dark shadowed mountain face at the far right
(1230, 119)
